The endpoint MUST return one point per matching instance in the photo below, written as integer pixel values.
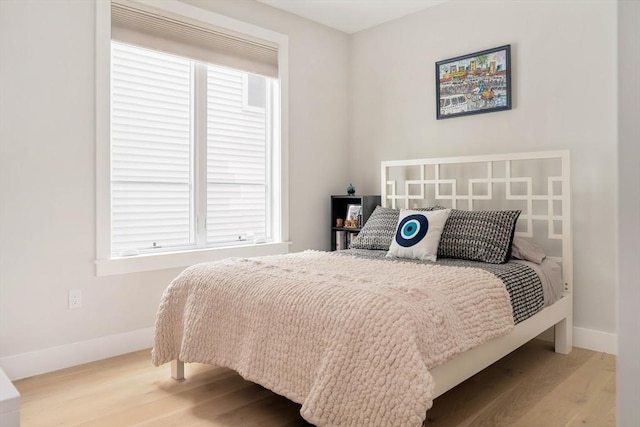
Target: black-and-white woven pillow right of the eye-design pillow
(478, 235)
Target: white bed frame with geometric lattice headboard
(497, 180)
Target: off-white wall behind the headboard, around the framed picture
(564, 96)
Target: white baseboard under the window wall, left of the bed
(38, 362)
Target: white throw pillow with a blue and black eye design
(418, 234)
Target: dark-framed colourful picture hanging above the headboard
(472, 84)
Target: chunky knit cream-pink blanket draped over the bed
(349, 339)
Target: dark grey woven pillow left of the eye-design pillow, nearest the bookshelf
(380, 228)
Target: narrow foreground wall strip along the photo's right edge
(628, 369)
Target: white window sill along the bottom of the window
(162, 261)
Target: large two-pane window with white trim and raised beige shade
(196, 149)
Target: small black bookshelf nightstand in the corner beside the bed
(354, 211)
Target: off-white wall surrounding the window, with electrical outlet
(47, 171)
